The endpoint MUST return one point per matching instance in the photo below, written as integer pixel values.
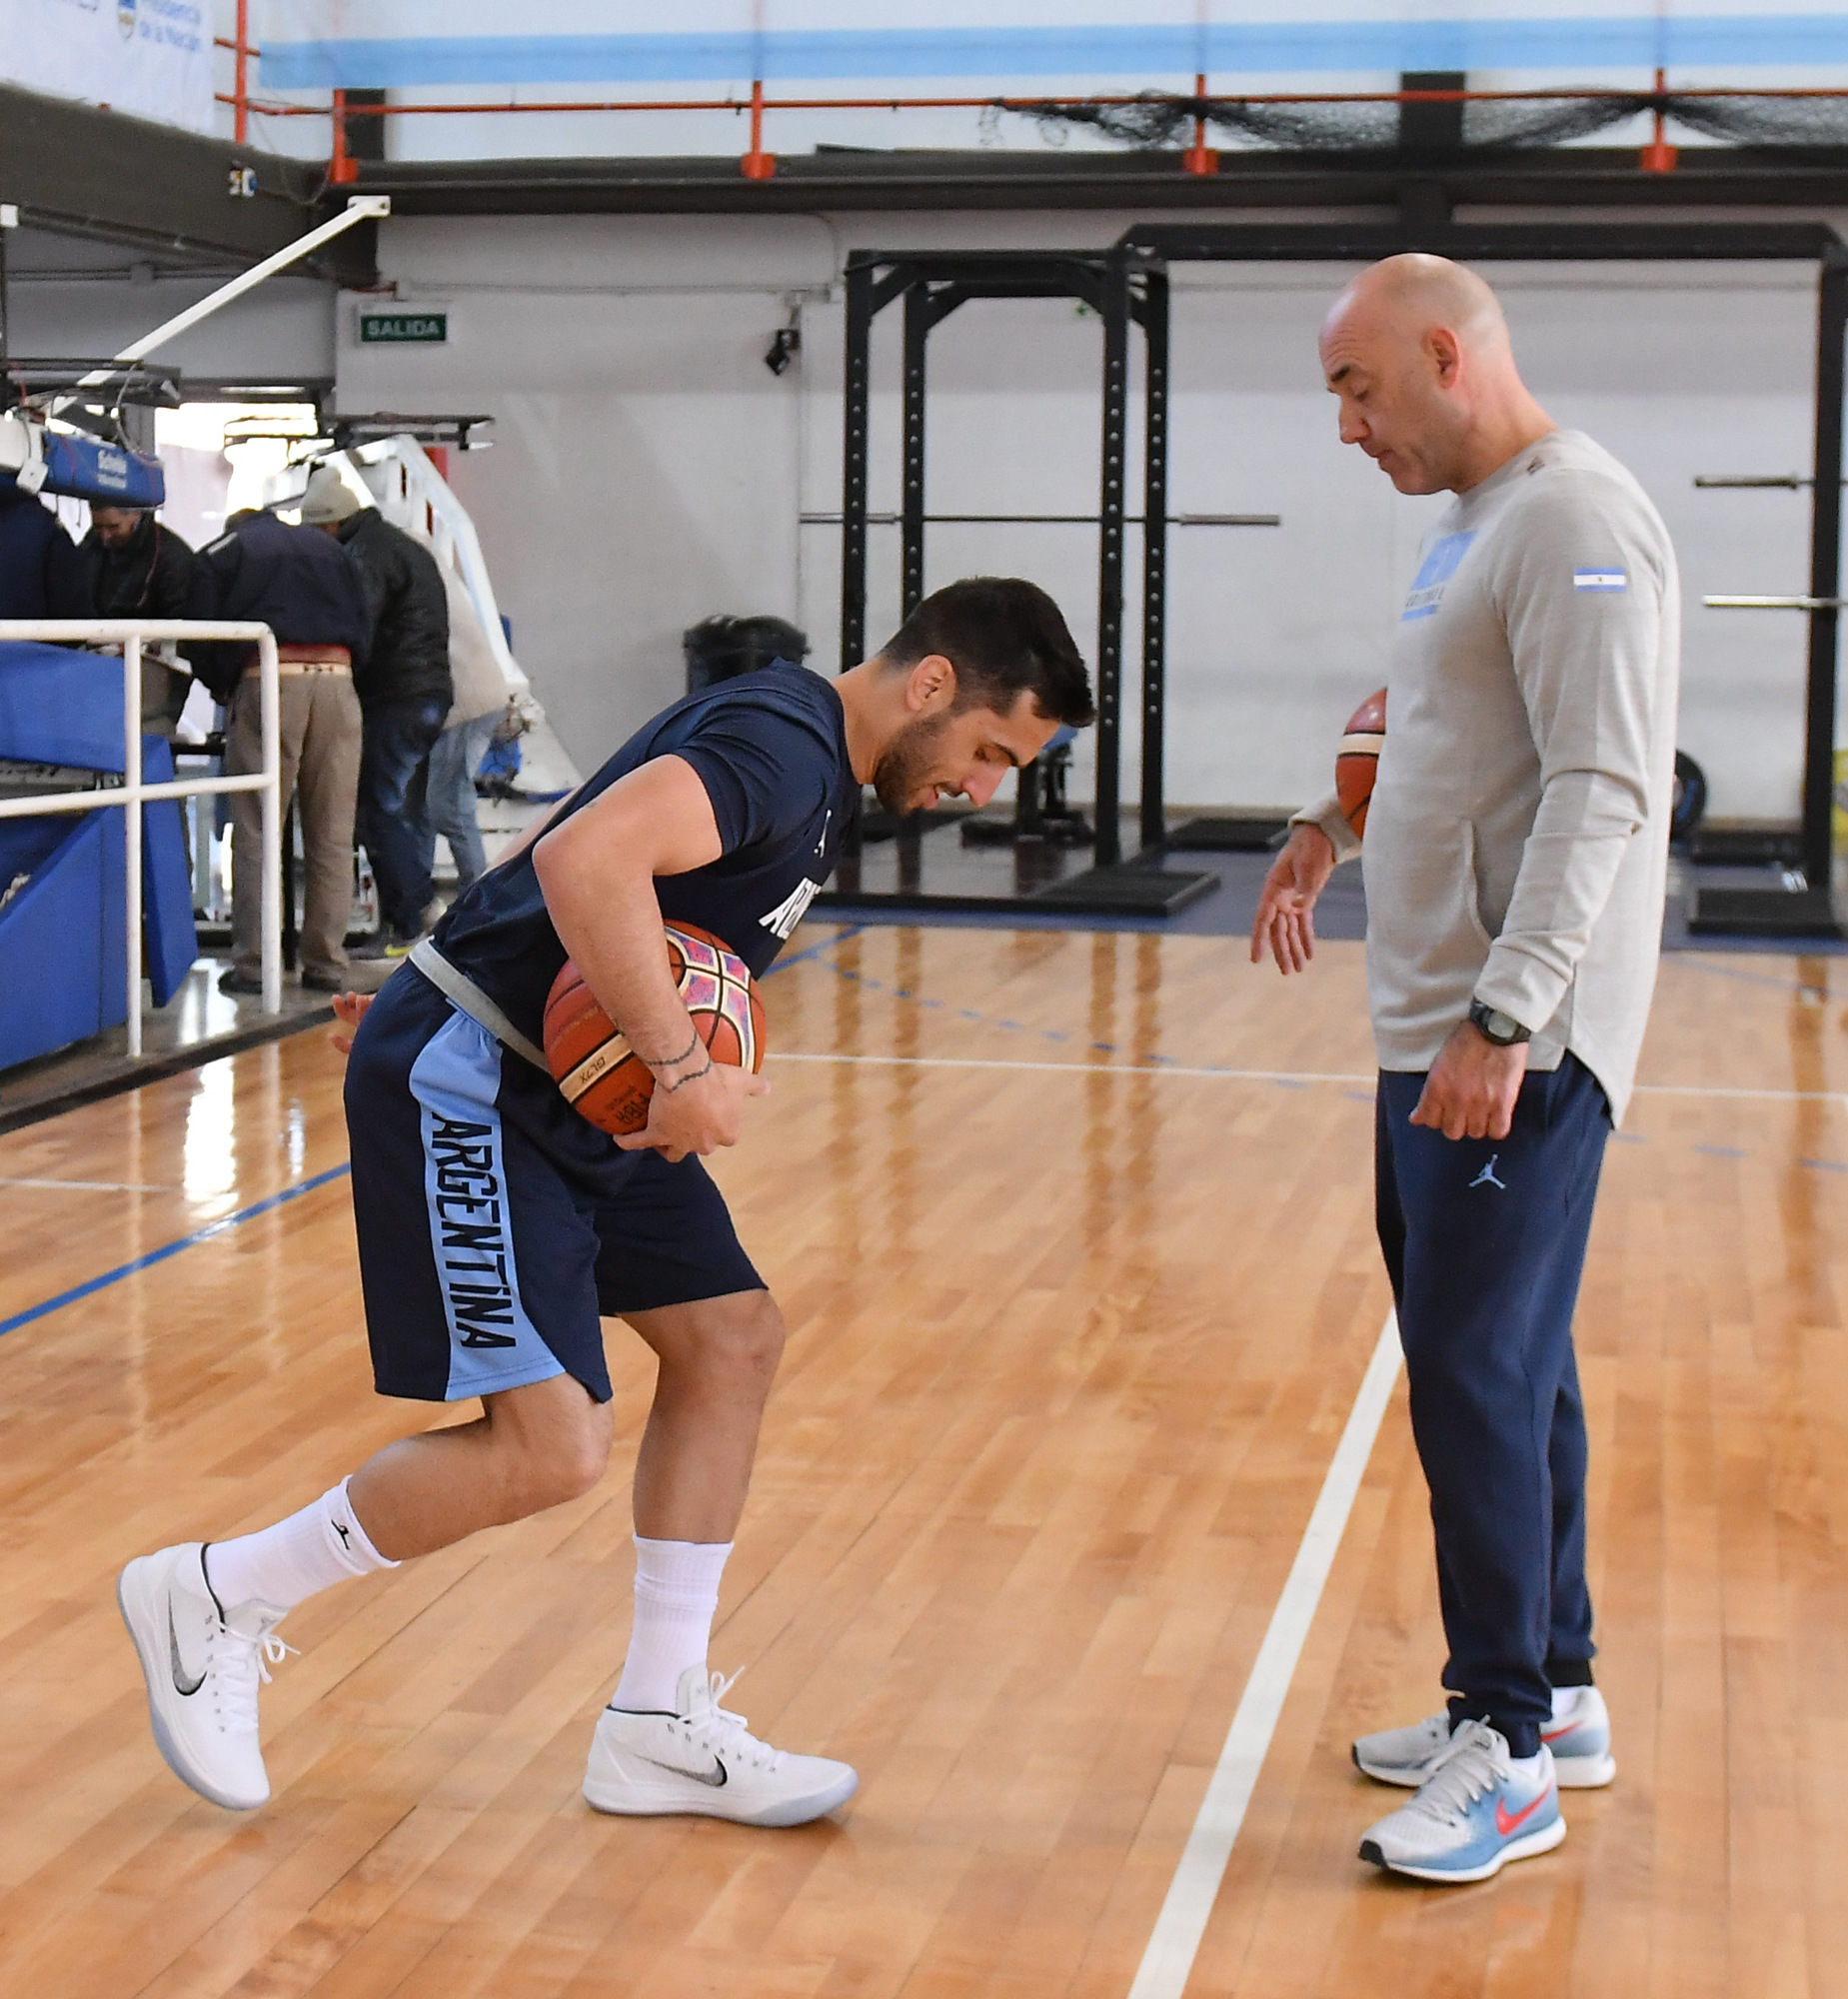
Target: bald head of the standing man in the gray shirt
(1417, 351)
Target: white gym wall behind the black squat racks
(649, 471)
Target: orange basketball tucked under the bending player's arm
(603, 1076)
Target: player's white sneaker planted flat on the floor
(705, 1762)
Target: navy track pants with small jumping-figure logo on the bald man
(1485, 1244)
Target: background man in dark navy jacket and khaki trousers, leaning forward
(305, 591)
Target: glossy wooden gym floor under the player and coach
(1077, 1334)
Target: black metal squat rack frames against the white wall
(1129, 285)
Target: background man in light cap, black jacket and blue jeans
(405, 695)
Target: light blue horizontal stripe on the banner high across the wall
(1641, 41)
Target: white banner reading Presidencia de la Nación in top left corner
(145, 57)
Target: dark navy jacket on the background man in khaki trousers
(295, 581)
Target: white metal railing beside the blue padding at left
(133, 795)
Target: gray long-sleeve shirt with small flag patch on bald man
(1517, 845)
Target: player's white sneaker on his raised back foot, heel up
(203, 1666)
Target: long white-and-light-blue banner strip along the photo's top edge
(311, 45)
